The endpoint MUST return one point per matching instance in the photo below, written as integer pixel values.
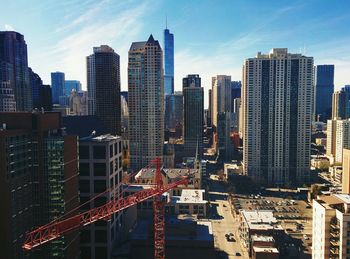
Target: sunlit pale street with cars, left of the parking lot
(223, 223)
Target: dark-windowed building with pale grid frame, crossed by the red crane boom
(100, 167)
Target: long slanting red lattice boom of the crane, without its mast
(58, 228)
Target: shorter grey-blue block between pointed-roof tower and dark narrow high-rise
(173, 110)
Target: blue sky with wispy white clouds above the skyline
(211, 37)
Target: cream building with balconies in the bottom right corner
(331, 227)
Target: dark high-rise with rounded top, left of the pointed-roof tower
(103, 84)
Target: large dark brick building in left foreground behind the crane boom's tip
(39, 182)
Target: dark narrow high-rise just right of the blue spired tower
(193, 115)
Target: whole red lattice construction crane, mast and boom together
(58, 228)
